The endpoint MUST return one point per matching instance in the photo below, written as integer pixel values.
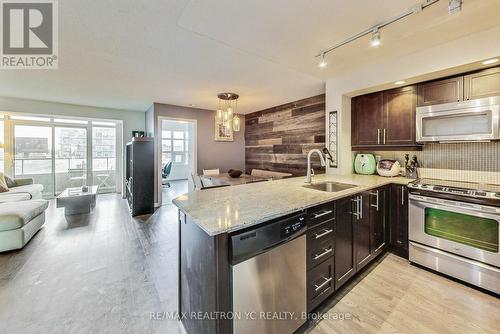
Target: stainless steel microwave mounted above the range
(474, 120)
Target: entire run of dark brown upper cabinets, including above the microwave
(386, 120)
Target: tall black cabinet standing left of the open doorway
(140, 176)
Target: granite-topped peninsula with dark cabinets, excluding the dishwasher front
(210, 221)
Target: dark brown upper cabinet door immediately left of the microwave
(399, 116)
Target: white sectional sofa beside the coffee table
(22, 213)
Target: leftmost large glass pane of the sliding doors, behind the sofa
(33, 155)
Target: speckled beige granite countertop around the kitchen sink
(229, 209)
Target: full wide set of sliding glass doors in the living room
(61, 153)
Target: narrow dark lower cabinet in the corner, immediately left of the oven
(399, 220)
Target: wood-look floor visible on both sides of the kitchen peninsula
(105, 272)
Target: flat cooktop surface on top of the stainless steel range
(457, 188)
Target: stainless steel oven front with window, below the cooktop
(456, 238)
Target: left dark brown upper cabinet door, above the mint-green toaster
(367, 119)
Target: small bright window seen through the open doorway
(174, 147)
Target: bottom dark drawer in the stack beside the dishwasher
(320, 284)
